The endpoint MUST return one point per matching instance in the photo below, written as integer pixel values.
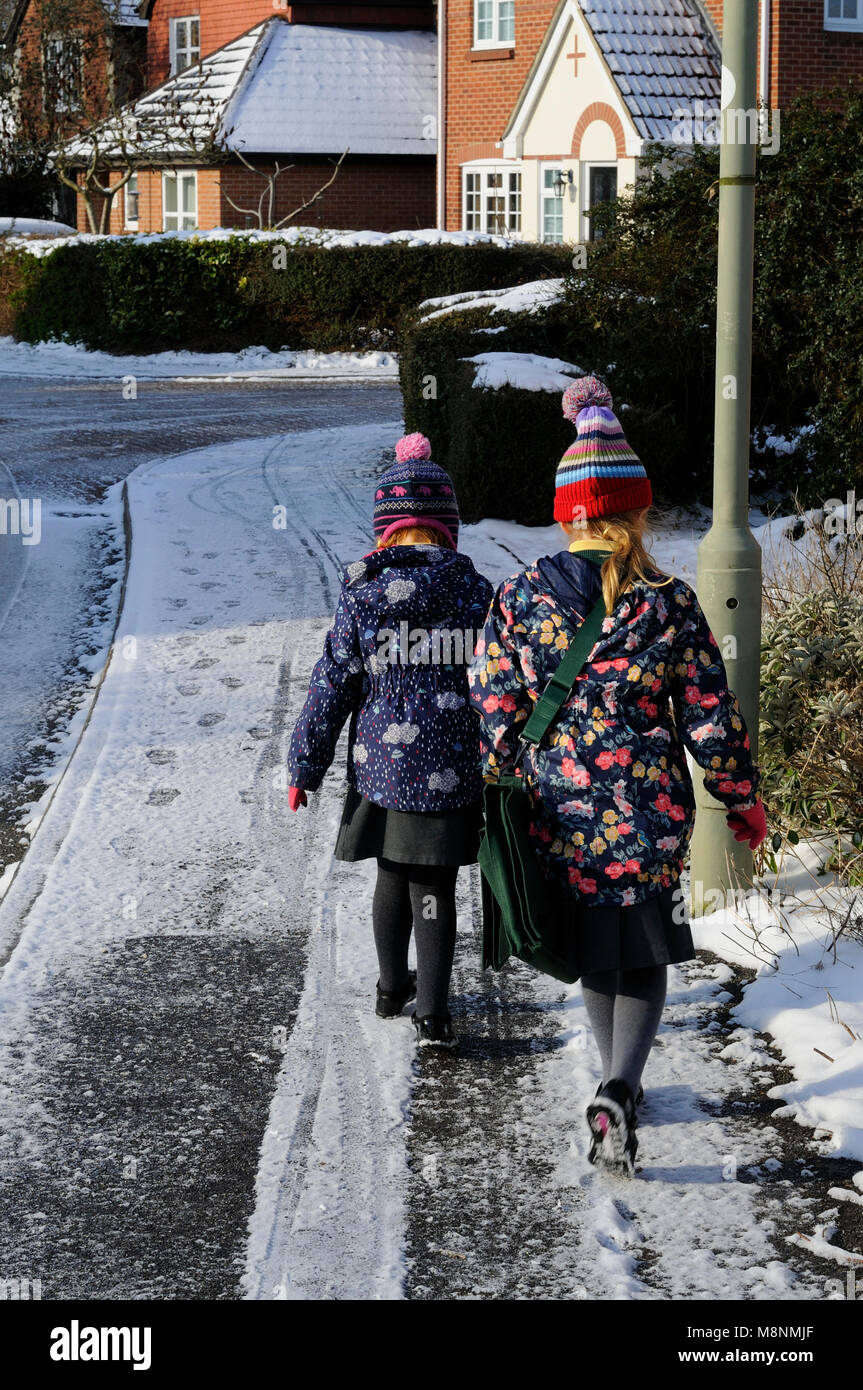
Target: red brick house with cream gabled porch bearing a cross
(548, 105)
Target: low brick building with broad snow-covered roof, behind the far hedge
(298, 95)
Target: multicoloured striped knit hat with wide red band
(600, 475)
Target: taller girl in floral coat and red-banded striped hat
(614, 797)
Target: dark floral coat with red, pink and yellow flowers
(612, 790)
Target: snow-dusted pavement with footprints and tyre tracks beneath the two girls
(198, 1100)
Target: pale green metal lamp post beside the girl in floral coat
(730, 559)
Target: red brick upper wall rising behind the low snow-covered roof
(226, 20)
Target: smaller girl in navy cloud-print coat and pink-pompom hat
(395, 664)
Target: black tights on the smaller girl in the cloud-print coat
(419, 897)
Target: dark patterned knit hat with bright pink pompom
(416, 493)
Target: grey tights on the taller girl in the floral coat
(625, 1008)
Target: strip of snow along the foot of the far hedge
(59, 359)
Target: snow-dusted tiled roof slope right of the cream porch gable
(662, 56)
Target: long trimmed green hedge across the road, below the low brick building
(129, 295)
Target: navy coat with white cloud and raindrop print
(395, 661)
